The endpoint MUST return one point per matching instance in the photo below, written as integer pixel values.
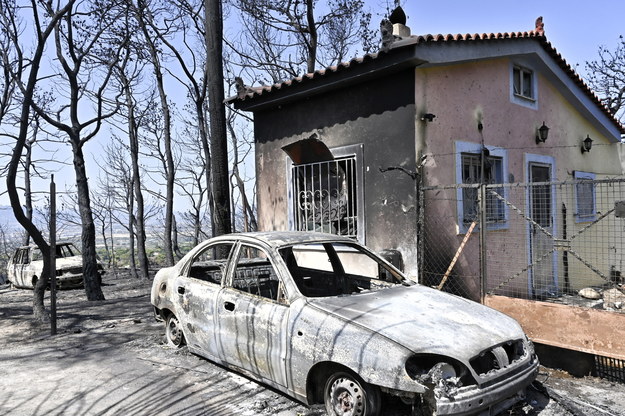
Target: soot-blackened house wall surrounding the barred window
(379, 115)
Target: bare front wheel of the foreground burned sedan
(347, 395)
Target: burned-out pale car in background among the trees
(26, 266)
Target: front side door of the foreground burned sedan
(252, 317)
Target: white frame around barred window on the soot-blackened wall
(357, 152)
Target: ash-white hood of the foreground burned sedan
(425, 320)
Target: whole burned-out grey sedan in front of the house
(325, 320)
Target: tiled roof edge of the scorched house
(249, 95)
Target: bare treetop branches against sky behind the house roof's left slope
(284, 38)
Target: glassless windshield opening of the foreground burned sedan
(335, 269)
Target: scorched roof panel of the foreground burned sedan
(278, 239)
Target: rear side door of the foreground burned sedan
(197, 288)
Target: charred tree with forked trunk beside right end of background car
(89, 43)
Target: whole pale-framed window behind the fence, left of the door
(469, 171)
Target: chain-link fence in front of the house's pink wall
(554, 241)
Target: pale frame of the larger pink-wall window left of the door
(476, 148)
